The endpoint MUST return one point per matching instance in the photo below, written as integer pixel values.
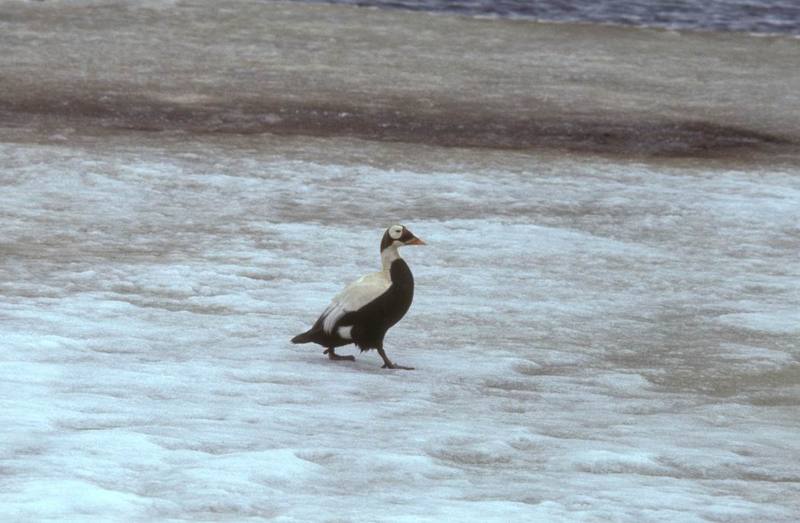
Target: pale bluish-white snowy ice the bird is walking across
(593, 340)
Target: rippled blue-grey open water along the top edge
(765, 16)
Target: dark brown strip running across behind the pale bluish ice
(397, 121)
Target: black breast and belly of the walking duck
(371, 322)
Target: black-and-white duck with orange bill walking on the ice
(367, 308)
